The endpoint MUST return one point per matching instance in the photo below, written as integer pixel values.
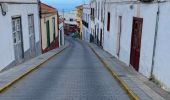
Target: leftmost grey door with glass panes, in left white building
(17, 39)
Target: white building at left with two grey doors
(20, 32)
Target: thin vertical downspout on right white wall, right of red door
(155, 41)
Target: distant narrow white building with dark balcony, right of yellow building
(86, 22)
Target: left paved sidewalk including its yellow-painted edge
(12, 75)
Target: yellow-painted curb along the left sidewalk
(8, 85)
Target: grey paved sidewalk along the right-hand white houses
(140, 85)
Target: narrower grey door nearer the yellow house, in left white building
(31, 35)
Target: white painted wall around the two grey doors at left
(6, 41)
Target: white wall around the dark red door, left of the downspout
(148, 31)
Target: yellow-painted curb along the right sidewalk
(130, 93)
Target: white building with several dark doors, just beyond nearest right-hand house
(97, 21)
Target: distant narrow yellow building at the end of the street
(79, 14)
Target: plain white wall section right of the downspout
(162, 56)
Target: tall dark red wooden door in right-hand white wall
(136, 42)
